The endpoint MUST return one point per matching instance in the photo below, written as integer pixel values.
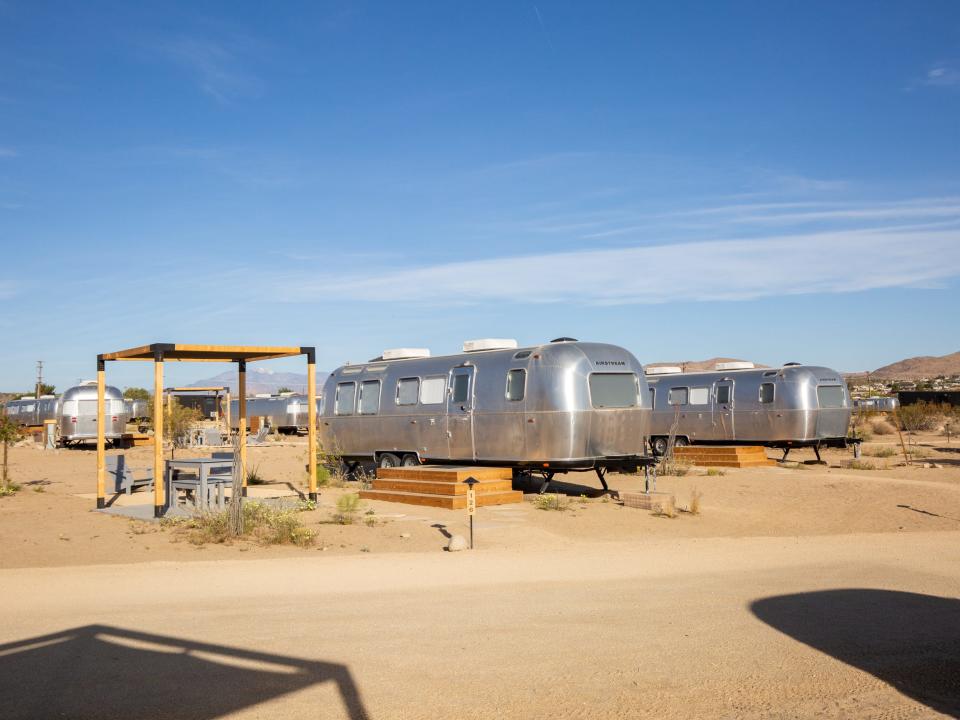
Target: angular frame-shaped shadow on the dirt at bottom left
(99, 671)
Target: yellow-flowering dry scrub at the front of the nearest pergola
(261, 523)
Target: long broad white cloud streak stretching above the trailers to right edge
(734, 269)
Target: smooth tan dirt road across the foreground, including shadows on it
(825, 626)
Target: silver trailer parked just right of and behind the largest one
(737, 403)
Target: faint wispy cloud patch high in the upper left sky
(215, 65)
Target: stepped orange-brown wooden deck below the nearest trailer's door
(440, 486)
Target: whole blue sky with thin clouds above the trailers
(774, 181)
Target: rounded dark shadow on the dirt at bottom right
(908, 640)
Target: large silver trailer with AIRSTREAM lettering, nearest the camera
(557, 407)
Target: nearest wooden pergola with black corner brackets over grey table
(159, 353)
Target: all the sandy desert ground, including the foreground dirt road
(821, 592)
